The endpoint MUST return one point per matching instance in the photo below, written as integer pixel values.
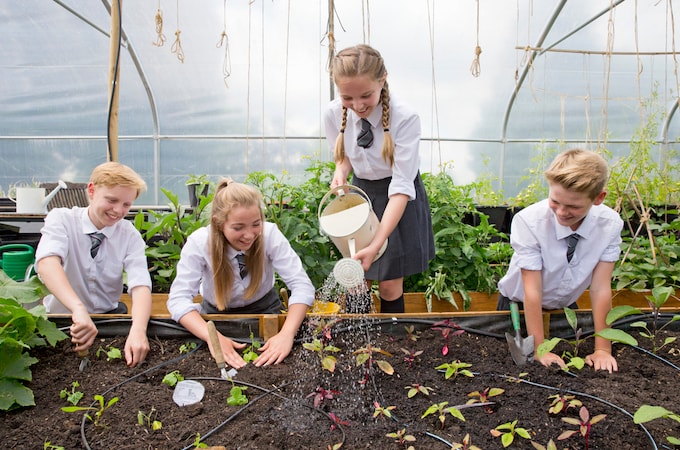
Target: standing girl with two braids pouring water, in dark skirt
(377, 139)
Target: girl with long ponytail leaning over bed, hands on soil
(231, 263)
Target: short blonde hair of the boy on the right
(579, 170)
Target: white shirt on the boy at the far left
(99, 282)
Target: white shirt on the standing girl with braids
(367, 163)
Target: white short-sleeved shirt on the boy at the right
(540, 243)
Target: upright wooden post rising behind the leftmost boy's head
(114, 81)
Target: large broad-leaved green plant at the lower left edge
(20, 331)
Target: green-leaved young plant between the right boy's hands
(571, 356)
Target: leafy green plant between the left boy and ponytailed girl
(166, 233)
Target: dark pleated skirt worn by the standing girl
(410, 247)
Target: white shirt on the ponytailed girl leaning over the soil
(195, 273)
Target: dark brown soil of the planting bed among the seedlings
(280, 414)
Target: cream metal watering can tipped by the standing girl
(350, 222)
